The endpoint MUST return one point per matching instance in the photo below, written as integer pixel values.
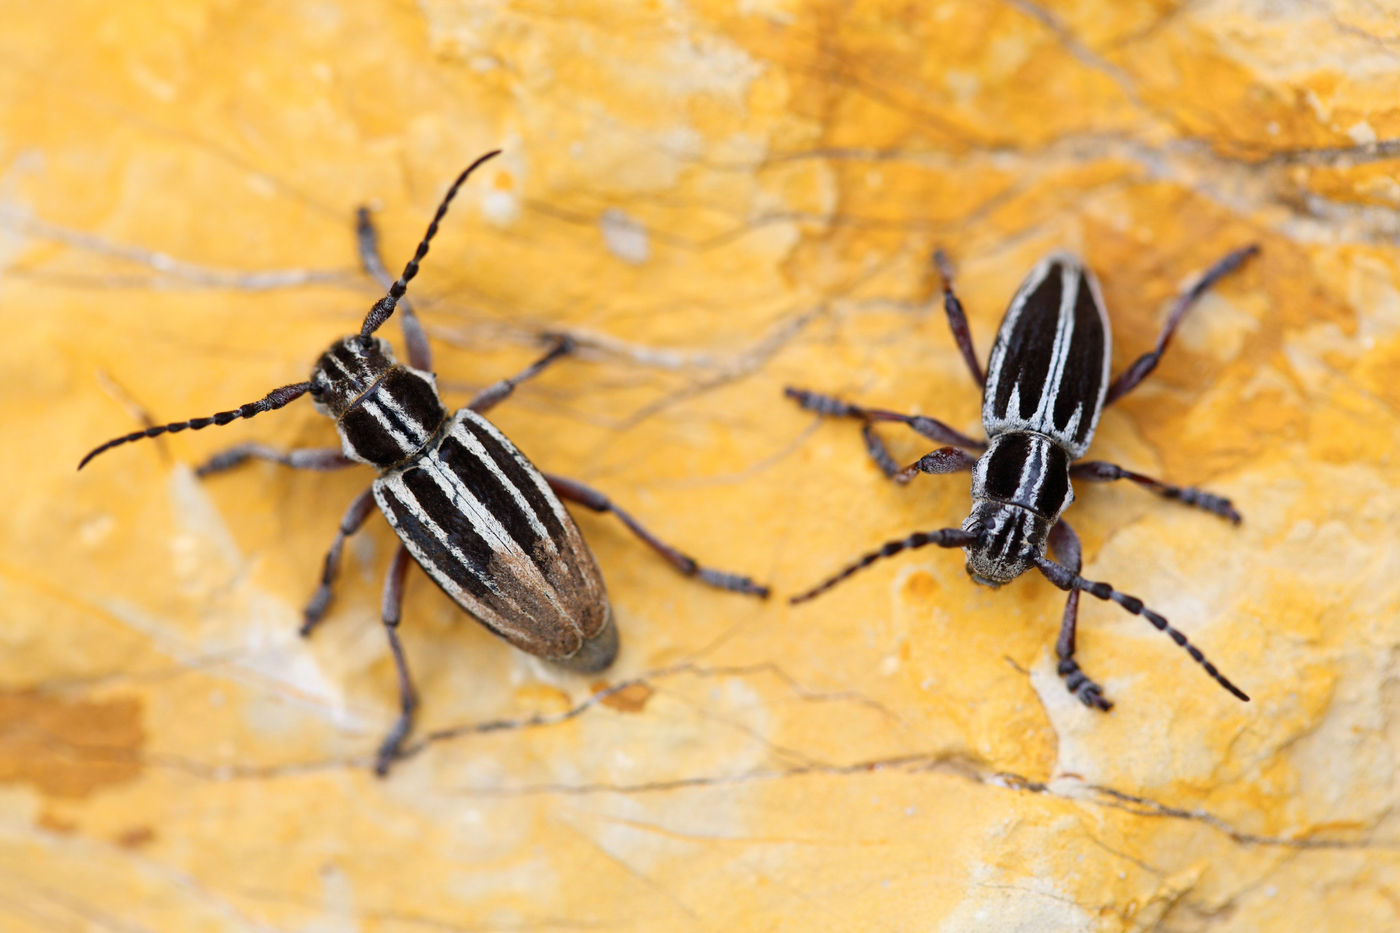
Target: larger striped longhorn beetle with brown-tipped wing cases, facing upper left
(481, 520)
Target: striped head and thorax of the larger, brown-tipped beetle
(386, 413)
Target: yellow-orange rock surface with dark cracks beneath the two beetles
(719, 201)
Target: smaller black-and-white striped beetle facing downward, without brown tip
(1046, 383)
